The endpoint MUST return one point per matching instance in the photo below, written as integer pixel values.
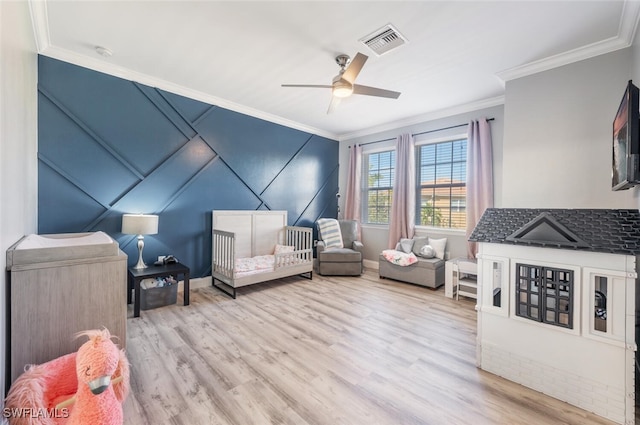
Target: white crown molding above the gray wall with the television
(626, 34)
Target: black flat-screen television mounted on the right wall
(626, 141)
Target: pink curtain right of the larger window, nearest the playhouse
(479, 176)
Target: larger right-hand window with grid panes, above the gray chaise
(442, 182)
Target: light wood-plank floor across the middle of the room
(327, 351)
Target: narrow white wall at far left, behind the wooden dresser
(18, 140)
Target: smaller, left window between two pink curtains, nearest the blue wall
(379, 186)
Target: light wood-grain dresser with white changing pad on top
(55, 292)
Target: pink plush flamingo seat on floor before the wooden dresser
(75, 389)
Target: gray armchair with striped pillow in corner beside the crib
(345, 261)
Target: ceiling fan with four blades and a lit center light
(343, 84)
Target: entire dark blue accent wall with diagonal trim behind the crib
(109, 146)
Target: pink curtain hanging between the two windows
(403, 210)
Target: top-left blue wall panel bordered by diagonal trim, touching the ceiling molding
(114, 110)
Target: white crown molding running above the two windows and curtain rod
(429, 116)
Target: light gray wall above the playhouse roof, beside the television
(557, 136)
